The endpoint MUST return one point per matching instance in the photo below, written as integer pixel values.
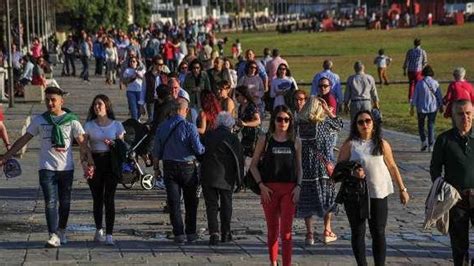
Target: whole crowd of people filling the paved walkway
(196, 102)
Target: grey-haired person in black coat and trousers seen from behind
(222, 168)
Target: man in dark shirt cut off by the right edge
(453, 154)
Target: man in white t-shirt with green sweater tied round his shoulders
(56, 127)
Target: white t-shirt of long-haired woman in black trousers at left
(97, 134)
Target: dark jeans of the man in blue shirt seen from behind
(181, 176)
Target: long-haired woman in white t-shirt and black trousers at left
(101, 131)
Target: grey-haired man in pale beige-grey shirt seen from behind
(360, 91)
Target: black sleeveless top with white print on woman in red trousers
(279, 162)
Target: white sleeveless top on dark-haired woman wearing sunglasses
(379, 181)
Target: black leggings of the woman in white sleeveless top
(377, 224)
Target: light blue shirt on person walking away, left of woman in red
(427, 96)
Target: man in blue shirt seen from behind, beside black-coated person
(177, 144)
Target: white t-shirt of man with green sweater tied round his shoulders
(51, 158)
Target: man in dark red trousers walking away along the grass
(415, 60)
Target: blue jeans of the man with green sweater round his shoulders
(56, 185)
